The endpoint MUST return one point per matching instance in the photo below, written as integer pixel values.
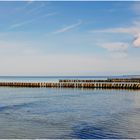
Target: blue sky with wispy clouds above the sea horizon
(72, 38)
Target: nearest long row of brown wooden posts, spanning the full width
(73, 85)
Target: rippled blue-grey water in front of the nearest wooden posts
(69, 113)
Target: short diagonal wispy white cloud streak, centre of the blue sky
(67, 28)
